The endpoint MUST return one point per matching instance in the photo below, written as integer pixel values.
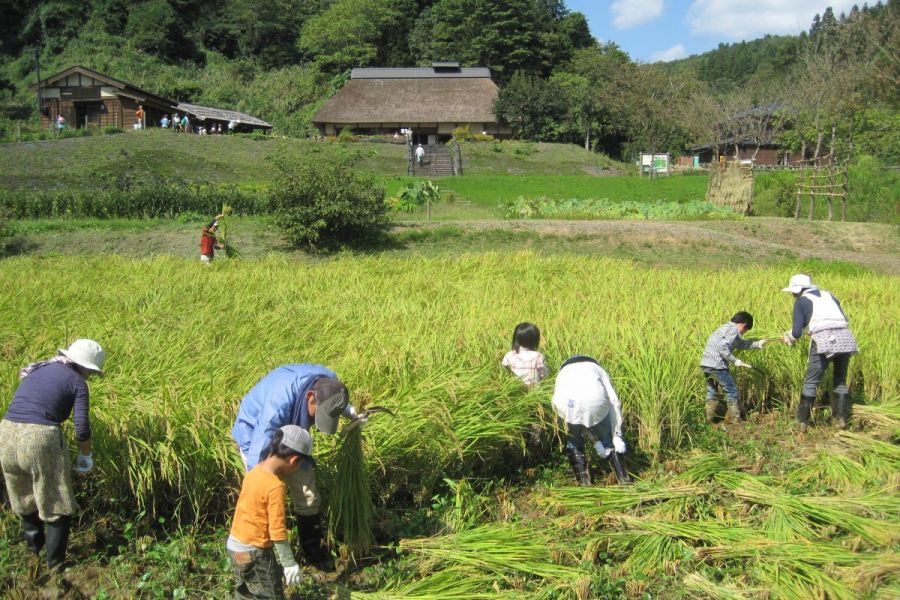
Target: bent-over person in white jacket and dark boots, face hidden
(586, 403)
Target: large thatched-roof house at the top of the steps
(430, 101)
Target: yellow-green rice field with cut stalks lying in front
(423, 337)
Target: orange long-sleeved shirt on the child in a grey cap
(259, 518)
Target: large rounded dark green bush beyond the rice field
(324, 206)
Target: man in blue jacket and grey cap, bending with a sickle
(295, 394)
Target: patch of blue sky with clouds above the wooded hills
(653, 30)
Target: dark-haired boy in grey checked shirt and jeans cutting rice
(718, 355)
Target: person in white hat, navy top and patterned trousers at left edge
(33, 452)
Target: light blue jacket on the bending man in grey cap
(276, 400)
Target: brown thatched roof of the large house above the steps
(412, 100)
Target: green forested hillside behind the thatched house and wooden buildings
(832, 89)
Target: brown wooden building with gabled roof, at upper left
(86, 98)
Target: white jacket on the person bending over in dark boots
(584, 395)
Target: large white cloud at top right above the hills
(749, 19)
